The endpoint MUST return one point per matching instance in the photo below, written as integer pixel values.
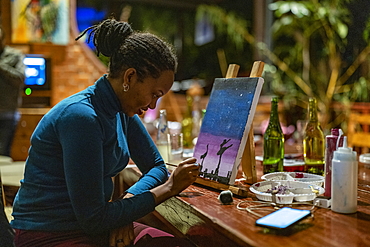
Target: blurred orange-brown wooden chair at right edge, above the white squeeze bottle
(358, 132)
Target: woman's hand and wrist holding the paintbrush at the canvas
(183, 176)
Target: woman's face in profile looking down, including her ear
(143, 95)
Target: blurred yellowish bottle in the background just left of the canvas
(187, 124)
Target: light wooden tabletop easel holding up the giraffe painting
(248, 161)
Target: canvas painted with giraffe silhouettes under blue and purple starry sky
(225, 127)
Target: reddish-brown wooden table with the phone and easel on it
(203, 219)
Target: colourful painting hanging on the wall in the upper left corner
(40, 21)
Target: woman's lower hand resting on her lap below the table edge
(121, 237)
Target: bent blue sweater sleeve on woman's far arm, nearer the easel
(146, 156)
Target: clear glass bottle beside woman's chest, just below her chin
(163, 142)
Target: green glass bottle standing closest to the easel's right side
(273, 142)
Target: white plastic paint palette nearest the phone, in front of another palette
(297, 191)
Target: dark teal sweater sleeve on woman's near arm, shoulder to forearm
(81, 137)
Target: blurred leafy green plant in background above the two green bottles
(311, 56)
